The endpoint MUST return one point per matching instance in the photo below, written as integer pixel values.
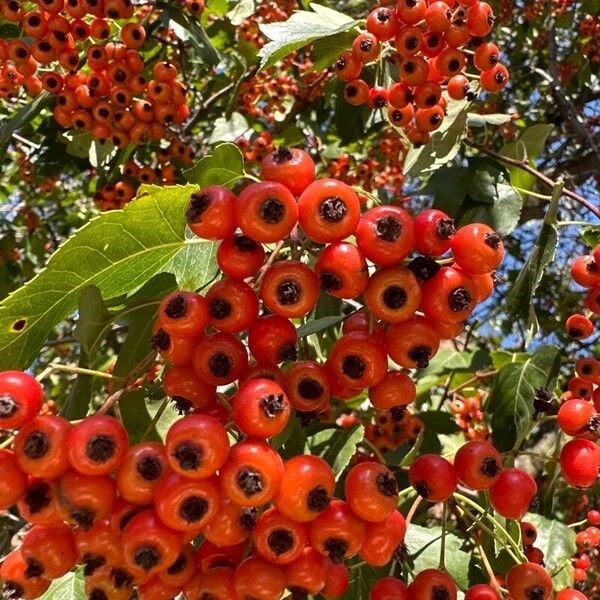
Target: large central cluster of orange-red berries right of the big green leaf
(412, 302)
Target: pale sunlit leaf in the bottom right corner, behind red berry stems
(557, 542)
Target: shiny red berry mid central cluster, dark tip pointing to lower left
(342, 270)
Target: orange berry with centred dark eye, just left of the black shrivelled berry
(393, 294)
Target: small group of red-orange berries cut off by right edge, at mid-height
(585, 271)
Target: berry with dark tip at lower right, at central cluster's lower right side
(412, 343)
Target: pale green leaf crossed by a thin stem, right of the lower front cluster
(424, 544)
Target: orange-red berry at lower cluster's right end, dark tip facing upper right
(371, 491)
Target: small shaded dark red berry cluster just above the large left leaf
(161, 166)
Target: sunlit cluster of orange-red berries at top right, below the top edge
(425, 40)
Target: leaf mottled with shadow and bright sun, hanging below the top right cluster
(444, 143)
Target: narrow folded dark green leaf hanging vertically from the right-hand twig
(519, 298)
